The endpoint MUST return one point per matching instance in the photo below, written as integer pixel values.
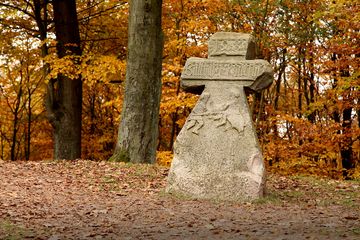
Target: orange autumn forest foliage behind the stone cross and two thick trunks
(307, 122)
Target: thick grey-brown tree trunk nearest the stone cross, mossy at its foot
(138, 131)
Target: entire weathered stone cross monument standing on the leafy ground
(217, 154)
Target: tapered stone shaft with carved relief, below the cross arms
(216, 154)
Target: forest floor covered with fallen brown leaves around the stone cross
(100, 200)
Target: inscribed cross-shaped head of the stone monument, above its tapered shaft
(231, 59)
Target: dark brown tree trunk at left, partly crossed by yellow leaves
(64, 101)
